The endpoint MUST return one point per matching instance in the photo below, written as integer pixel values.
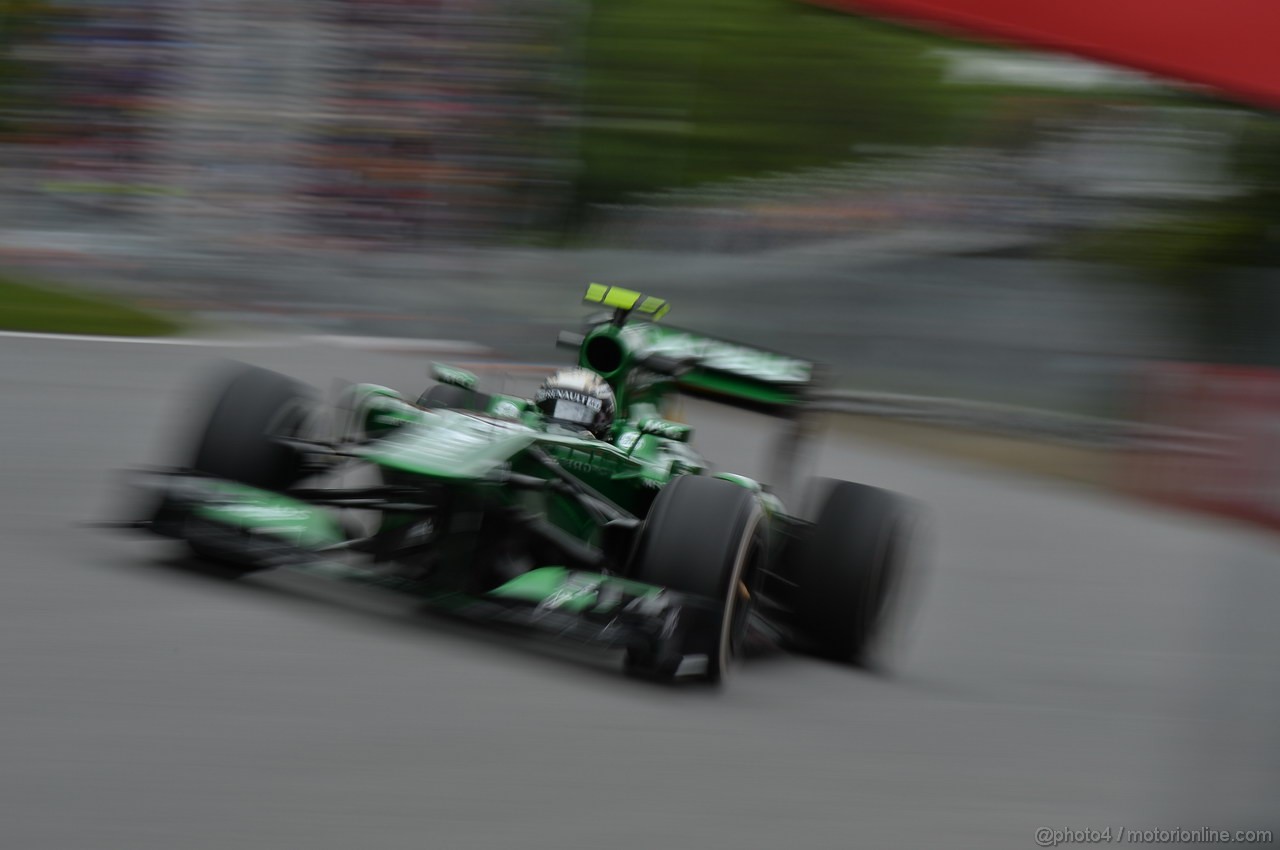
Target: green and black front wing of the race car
(662, 630)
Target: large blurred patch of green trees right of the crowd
(679, 93)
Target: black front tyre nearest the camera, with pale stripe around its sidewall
(703, 537)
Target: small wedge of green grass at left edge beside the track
(38, 307)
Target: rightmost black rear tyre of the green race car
(851, 569)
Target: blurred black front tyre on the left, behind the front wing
(237, 442)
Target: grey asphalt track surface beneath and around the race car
(1075, 661)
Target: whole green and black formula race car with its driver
(582, 513)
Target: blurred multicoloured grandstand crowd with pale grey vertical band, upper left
(372, 121)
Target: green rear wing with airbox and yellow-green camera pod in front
(720, 369)
